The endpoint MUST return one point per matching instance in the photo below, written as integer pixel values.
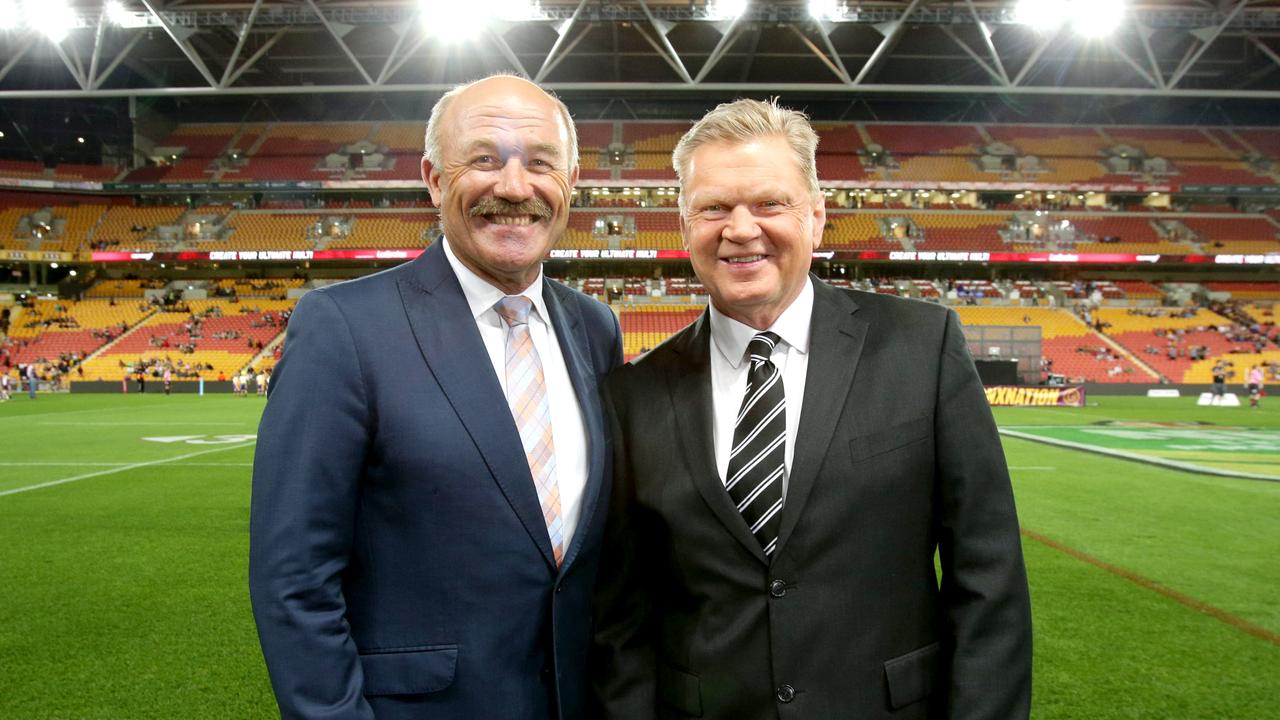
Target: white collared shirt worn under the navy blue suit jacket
(569, 431)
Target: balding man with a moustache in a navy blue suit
(432, 466)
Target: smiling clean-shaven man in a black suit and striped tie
(787, 470)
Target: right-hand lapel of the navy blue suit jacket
(566, 317)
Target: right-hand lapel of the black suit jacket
(835, 347)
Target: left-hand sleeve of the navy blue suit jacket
(310, 455)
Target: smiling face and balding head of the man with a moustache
(505, 180)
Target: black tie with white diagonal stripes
(757, 461)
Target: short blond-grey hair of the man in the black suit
(743, 121)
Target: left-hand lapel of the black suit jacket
(691, 388)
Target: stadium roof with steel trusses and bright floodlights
(1222, 49)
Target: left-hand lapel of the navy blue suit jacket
(447, 336)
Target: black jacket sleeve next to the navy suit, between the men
(624, 664)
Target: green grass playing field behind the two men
(1156, 593)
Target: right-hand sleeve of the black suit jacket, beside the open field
(985, 596)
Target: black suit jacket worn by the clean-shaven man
(897, 458)
